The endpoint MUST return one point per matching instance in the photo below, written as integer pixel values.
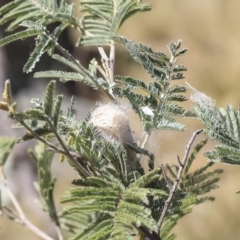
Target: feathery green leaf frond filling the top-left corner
(43, 12)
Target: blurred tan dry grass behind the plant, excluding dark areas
(210, 29)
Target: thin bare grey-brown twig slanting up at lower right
(175, 184)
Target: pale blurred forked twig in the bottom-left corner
(22, 219)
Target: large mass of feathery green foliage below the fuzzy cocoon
(112, 201)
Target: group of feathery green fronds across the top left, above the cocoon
(99, 23)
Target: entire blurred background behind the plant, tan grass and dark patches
(210, 29)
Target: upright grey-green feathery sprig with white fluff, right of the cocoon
(158, 109)
